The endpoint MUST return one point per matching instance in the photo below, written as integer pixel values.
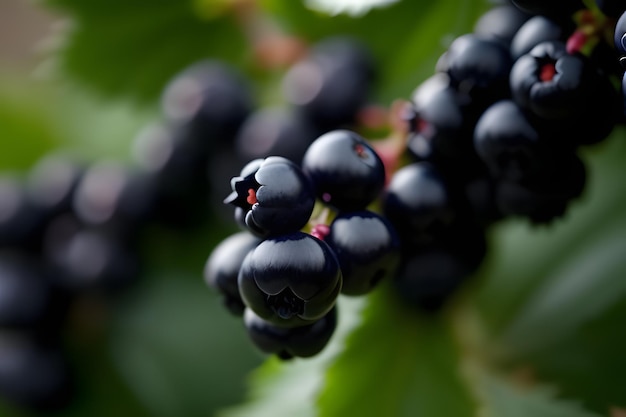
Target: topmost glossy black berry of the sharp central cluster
(346, 171)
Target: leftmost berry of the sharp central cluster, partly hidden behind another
(222, 268)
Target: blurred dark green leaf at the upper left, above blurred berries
(132, 49)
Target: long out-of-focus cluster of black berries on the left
(71, 232)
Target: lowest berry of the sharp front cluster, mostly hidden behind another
(304, 341)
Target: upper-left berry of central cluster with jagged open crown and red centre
(272, 196)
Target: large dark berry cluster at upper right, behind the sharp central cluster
(495, 133)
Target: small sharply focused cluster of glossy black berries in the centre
(285, 282)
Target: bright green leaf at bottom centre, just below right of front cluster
(396, 363)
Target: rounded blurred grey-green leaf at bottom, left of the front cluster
(178, 349)
